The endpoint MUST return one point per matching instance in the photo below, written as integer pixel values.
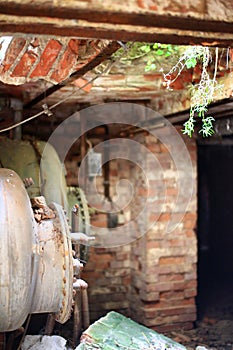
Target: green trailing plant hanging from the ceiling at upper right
(202, 93)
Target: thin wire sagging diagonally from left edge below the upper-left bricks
(107, 68)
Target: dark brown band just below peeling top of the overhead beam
(35, 9)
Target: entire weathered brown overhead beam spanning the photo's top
(180, 21)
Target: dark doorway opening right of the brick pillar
(215, 228)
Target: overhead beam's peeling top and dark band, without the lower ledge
(200, 15)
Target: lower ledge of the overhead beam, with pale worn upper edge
(113, 32)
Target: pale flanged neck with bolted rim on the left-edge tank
(53, 290)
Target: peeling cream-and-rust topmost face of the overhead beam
(123, 11)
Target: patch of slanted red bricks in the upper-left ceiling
(30, 58)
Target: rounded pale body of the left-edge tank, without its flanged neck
(17, 237)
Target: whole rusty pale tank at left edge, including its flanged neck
(36, 267)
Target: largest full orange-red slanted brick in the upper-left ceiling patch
(47, 59)
